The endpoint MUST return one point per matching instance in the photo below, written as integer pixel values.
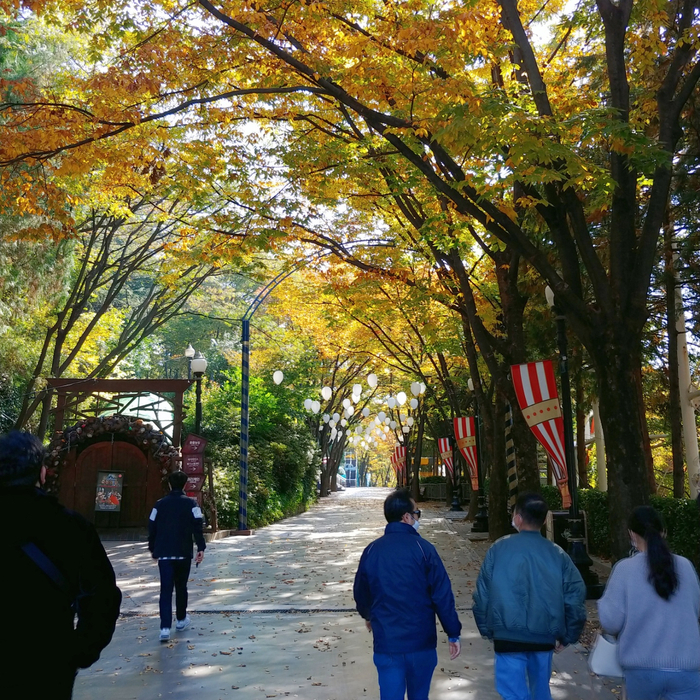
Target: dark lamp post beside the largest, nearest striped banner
(577, 543)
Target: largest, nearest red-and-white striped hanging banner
(536, 389)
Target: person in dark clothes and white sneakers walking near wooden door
(175, 520)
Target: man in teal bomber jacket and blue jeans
(530, 600)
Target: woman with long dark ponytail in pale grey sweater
(652, 604)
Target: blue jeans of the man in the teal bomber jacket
(524, 675)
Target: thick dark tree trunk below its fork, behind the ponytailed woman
(622, 417)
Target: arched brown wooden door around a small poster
(123, 460)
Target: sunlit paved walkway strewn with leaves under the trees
(273, 617)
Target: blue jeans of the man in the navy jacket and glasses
(401, 672)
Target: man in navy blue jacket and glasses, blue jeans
(400, 585)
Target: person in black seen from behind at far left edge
(54, 568)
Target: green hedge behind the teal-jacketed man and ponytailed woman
(679, 515)
